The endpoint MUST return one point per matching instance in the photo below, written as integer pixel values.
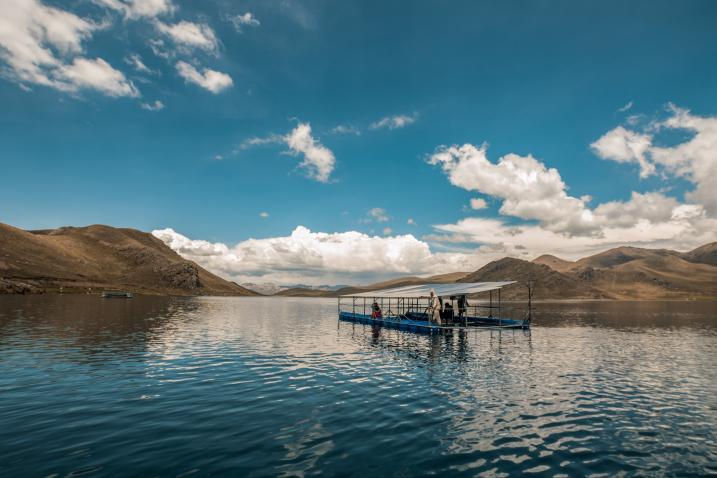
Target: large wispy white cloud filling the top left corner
(42, 45)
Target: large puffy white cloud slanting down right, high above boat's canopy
(529, 189)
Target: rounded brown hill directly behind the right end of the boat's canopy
(549, 283)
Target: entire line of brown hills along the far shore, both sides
(78, 259)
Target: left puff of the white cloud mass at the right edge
(625, 146)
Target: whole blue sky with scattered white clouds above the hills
(321, 142)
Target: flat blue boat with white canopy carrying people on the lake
(409, 308)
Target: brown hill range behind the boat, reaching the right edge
(620, 273)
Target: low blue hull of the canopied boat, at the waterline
(414, 324)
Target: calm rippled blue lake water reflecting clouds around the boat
(266, 387)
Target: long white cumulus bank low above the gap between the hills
(308, 257)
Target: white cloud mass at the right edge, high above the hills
(693, 159)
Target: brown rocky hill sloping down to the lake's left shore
(100, 257)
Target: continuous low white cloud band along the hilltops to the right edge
(353, 257)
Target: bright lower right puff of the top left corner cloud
(99, 75)
